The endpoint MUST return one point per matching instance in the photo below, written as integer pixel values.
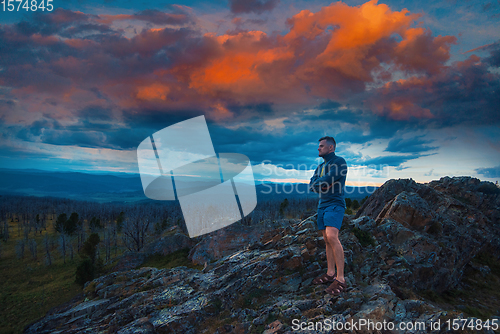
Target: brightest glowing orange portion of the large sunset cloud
(329, 54)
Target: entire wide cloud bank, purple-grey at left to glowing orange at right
(330, 54)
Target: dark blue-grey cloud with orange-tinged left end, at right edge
(463, 93)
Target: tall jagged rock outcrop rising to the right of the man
(430, 231)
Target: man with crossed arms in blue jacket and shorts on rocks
(329, 181)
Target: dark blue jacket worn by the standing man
(334, 176)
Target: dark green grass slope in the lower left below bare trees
(28, 287)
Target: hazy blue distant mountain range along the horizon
(123, 187)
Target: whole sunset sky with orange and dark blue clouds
(409, 89)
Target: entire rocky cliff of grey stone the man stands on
(415, 253)
